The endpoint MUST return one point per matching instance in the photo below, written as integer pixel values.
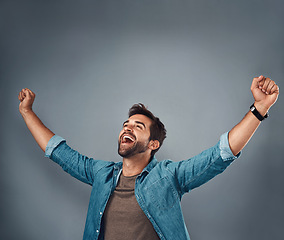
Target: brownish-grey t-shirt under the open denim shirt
(123, 218)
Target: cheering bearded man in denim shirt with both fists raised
(139, 198)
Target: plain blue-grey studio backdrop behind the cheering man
(191, 62)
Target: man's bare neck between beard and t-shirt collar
(135, 164)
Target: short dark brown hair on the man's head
(157, 128)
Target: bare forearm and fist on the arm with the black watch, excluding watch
(265, 93)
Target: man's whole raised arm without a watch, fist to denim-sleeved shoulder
(55, 147)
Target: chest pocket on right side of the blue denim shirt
(162, 194)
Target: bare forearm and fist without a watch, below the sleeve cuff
(40, 132)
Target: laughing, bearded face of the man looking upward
(134, 136)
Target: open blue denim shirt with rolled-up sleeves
(158, 188)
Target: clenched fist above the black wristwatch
(265, 92)
